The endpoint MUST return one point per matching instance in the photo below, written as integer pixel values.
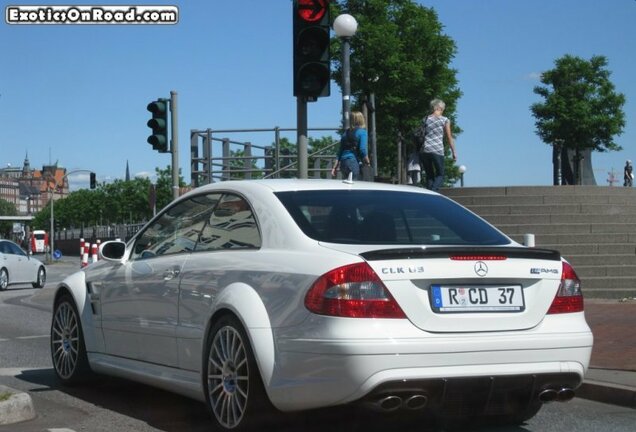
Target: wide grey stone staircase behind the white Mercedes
(594, 228)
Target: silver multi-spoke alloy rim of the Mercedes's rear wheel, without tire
(228, 377)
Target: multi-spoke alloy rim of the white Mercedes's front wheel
(65, 340)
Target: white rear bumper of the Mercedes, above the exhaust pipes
(319, 372)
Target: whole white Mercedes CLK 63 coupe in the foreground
(286, 295)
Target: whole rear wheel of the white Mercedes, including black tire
(234, 390)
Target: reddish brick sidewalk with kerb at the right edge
(612, 374)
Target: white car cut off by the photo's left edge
(17, 267)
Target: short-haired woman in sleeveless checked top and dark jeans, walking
(432, 151)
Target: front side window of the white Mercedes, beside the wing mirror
(177, 230)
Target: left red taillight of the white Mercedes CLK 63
(353, 291)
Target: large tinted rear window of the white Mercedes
(387, 217)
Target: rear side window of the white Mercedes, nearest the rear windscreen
(230, 226)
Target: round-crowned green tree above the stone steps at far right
(581, 109)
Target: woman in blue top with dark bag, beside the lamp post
(353, 148)
